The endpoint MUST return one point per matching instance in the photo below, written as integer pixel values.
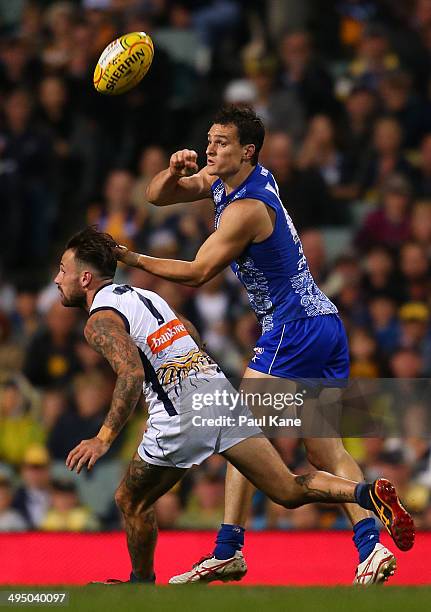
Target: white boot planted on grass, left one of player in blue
(209, 569)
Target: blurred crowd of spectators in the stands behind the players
(344, 90)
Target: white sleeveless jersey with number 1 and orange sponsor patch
(172, 360)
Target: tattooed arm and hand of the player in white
(105, 332)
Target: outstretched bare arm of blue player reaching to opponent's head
(239, 226)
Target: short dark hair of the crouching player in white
(96, 249)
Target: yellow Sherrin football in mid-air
(123, 63)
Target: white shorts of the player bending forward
(193, 435)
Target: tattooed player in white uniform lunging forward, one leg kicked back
(140, 336)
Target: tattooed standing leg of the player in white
(141, 486)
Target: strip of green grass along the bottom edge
(248, 599)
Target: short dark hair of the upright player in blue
(249, 125)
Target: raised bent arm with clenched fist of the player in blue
(181, 182)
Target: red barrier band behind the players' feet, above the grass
(274, 558)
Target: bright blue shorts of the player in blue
(310, 348)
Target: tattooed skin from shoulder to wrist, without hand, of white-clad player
(112, 341)
